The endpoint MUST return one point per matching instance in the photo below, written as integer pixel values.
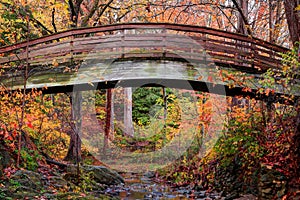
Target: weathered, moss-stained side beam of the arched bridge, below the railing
(93, 75)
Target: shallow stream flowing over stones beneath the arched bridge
(143, 186)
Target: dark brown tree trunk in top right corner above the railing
(293, 19)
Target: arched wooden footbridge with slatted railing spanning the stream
(139, 54)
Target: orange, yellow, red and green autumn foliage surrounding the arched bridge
(257, 134)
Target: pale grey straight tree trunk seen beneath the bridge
(128, 125)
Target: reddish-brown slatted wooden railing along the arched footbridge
(142, 40)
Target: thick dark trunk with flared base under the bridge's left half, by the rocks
(74, 151)
